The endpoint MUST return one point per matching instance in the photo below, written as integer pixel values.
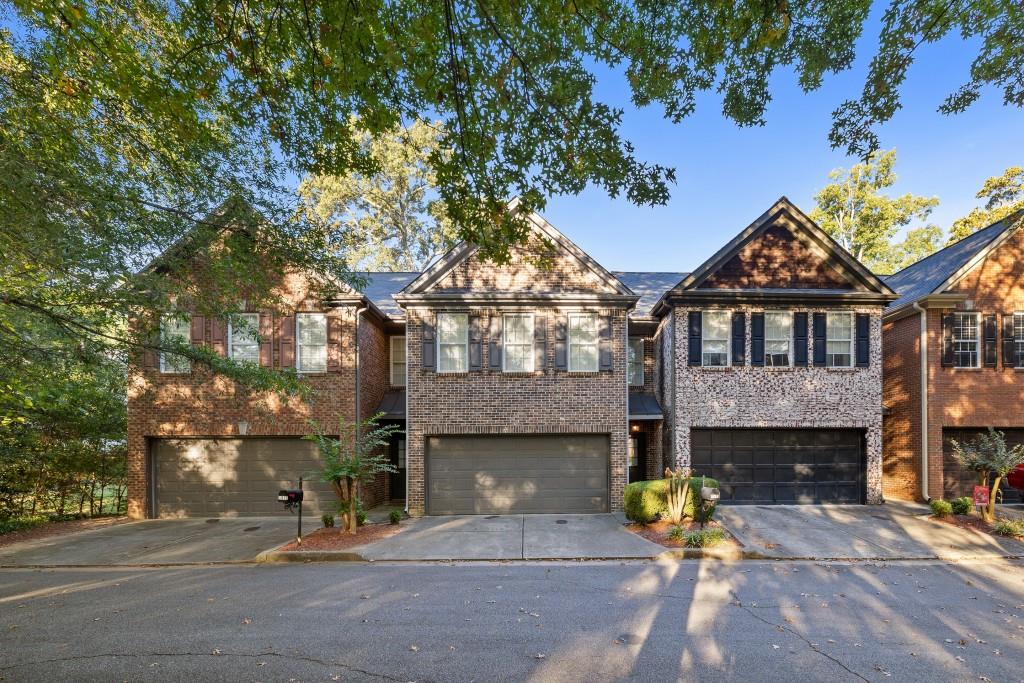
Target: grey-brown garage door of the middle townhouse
(518, 475)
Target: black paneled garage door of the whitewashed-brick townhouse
(784, 466)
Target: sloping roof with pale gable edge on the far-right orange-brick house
(943, 270)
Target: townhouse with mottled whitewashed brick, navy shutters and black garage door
(773, 356)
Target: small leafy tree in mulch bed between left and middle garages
(353, 459)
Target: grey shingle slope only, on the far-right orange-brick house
(921, 279)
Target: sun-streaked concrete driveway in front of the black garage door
(893, 531)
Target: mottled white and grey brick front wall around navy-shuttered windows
(748, 397)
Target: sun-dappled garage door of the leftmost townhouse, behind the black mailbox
(235, 477)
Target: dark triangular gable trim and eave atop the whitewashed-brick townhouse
(803, 228)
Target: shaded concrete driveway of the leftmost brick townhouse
(158, 542)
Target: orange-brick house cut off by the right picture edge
(964, 306)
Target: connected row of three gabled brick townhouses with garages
(545, 385)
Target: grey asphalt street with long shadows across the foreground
(517, 622)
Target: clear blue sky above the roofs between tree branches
(728, 177)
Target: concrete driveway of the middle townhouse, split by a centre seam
(513, 538)
